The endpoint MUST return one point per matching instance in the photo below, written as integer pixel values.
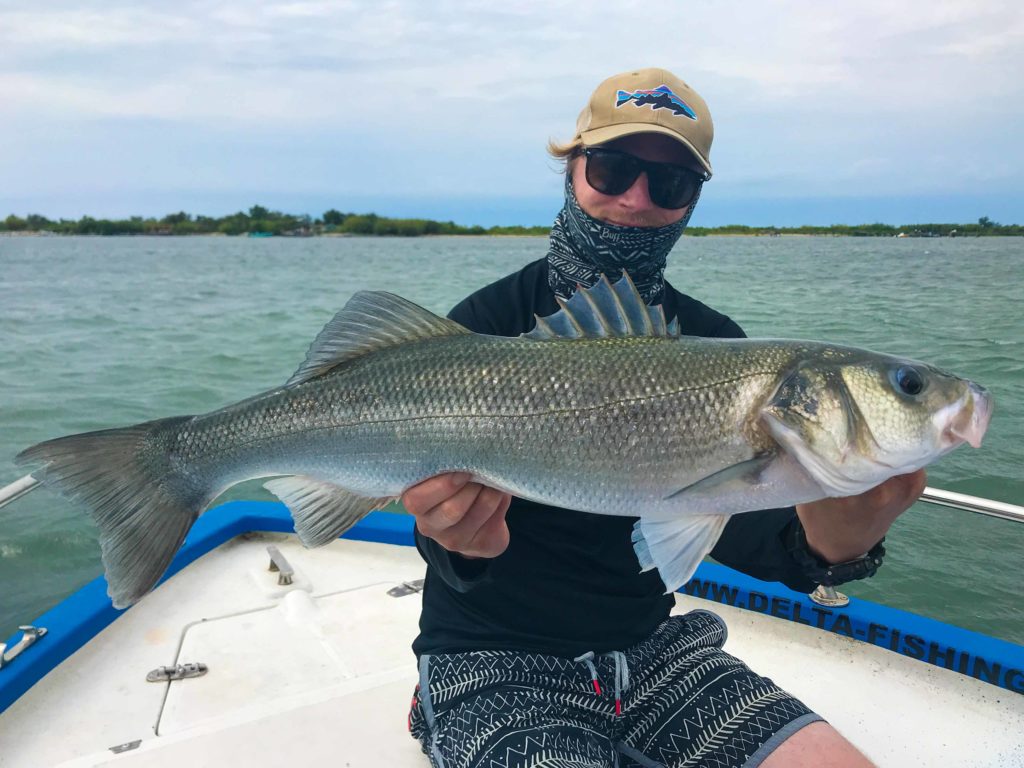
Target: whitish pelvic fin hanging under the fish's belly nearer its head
(677, 546)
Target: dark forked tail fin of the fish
(142, 503)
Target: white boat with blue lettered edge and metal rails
(257, 652)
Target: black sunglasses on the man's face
(670, 186)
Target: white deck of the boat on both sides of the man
(321, 672)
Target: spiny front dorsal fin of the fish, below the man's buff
(605, 311)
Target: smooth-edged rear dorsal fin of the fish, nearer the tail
(371, 321)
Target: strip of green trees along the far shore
(262, 222)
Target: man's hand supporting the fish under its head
(841, 530)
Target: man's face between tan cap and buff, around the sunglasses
(633, 207)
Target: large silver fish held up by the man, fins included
(603, 408)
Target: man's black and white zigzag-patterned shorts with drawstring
(674, 700)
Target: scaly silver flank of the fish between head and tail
(603, 411)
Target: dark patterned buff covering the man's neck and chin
(583, 248)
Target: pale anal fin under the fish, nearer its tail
(322, 511)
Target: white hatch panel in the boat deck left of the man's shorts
(303, 650)
